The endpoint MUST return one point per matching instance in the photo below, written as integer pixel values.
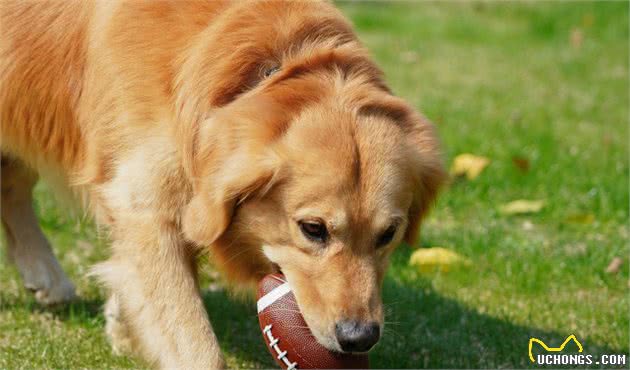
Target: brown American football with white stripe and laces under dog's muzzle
(288, 338)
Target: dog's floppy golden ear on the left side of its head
(226, 171)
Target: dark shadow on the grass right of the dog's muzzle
(431, 331)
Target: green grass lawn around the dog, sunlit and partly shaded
(546, 82)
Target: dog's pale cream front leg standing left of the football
(152, 275)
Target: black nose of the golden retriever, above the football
(357, 336)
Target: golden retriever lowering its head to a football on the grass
(260, 131)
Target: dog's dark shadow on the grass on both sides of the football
(424, 330)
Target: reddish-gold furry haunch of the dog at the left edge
(42, 59)
